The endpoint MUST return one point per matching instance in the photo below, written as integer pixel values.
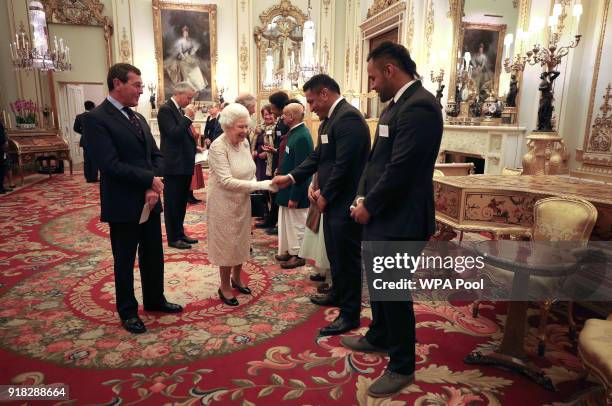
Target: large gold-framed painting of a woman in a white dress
(185, 47)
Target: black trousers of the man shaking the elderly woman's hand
(343, 246)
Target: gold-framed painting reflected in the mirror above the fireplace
(485, 44)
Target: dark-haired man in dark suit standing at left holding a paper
(130, 184)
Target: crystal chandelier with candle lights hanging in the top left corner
(36, 54)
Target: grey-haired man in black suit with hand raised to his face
(178, 147)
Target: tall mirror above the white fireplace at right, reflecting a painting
(482, 89)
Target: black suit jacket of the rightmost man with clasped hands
(397, 181)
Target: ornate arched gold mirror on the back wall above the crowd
(279, 42)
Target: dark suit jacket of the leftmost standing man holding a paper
(127, 160)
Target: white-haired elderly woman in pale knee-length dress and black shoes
(232, 179)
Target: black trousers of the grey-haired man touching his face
(176, 193)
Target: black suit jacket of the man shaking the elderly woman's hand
(339, 159)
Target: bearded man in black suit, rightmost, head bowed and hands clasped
(395, 199)
